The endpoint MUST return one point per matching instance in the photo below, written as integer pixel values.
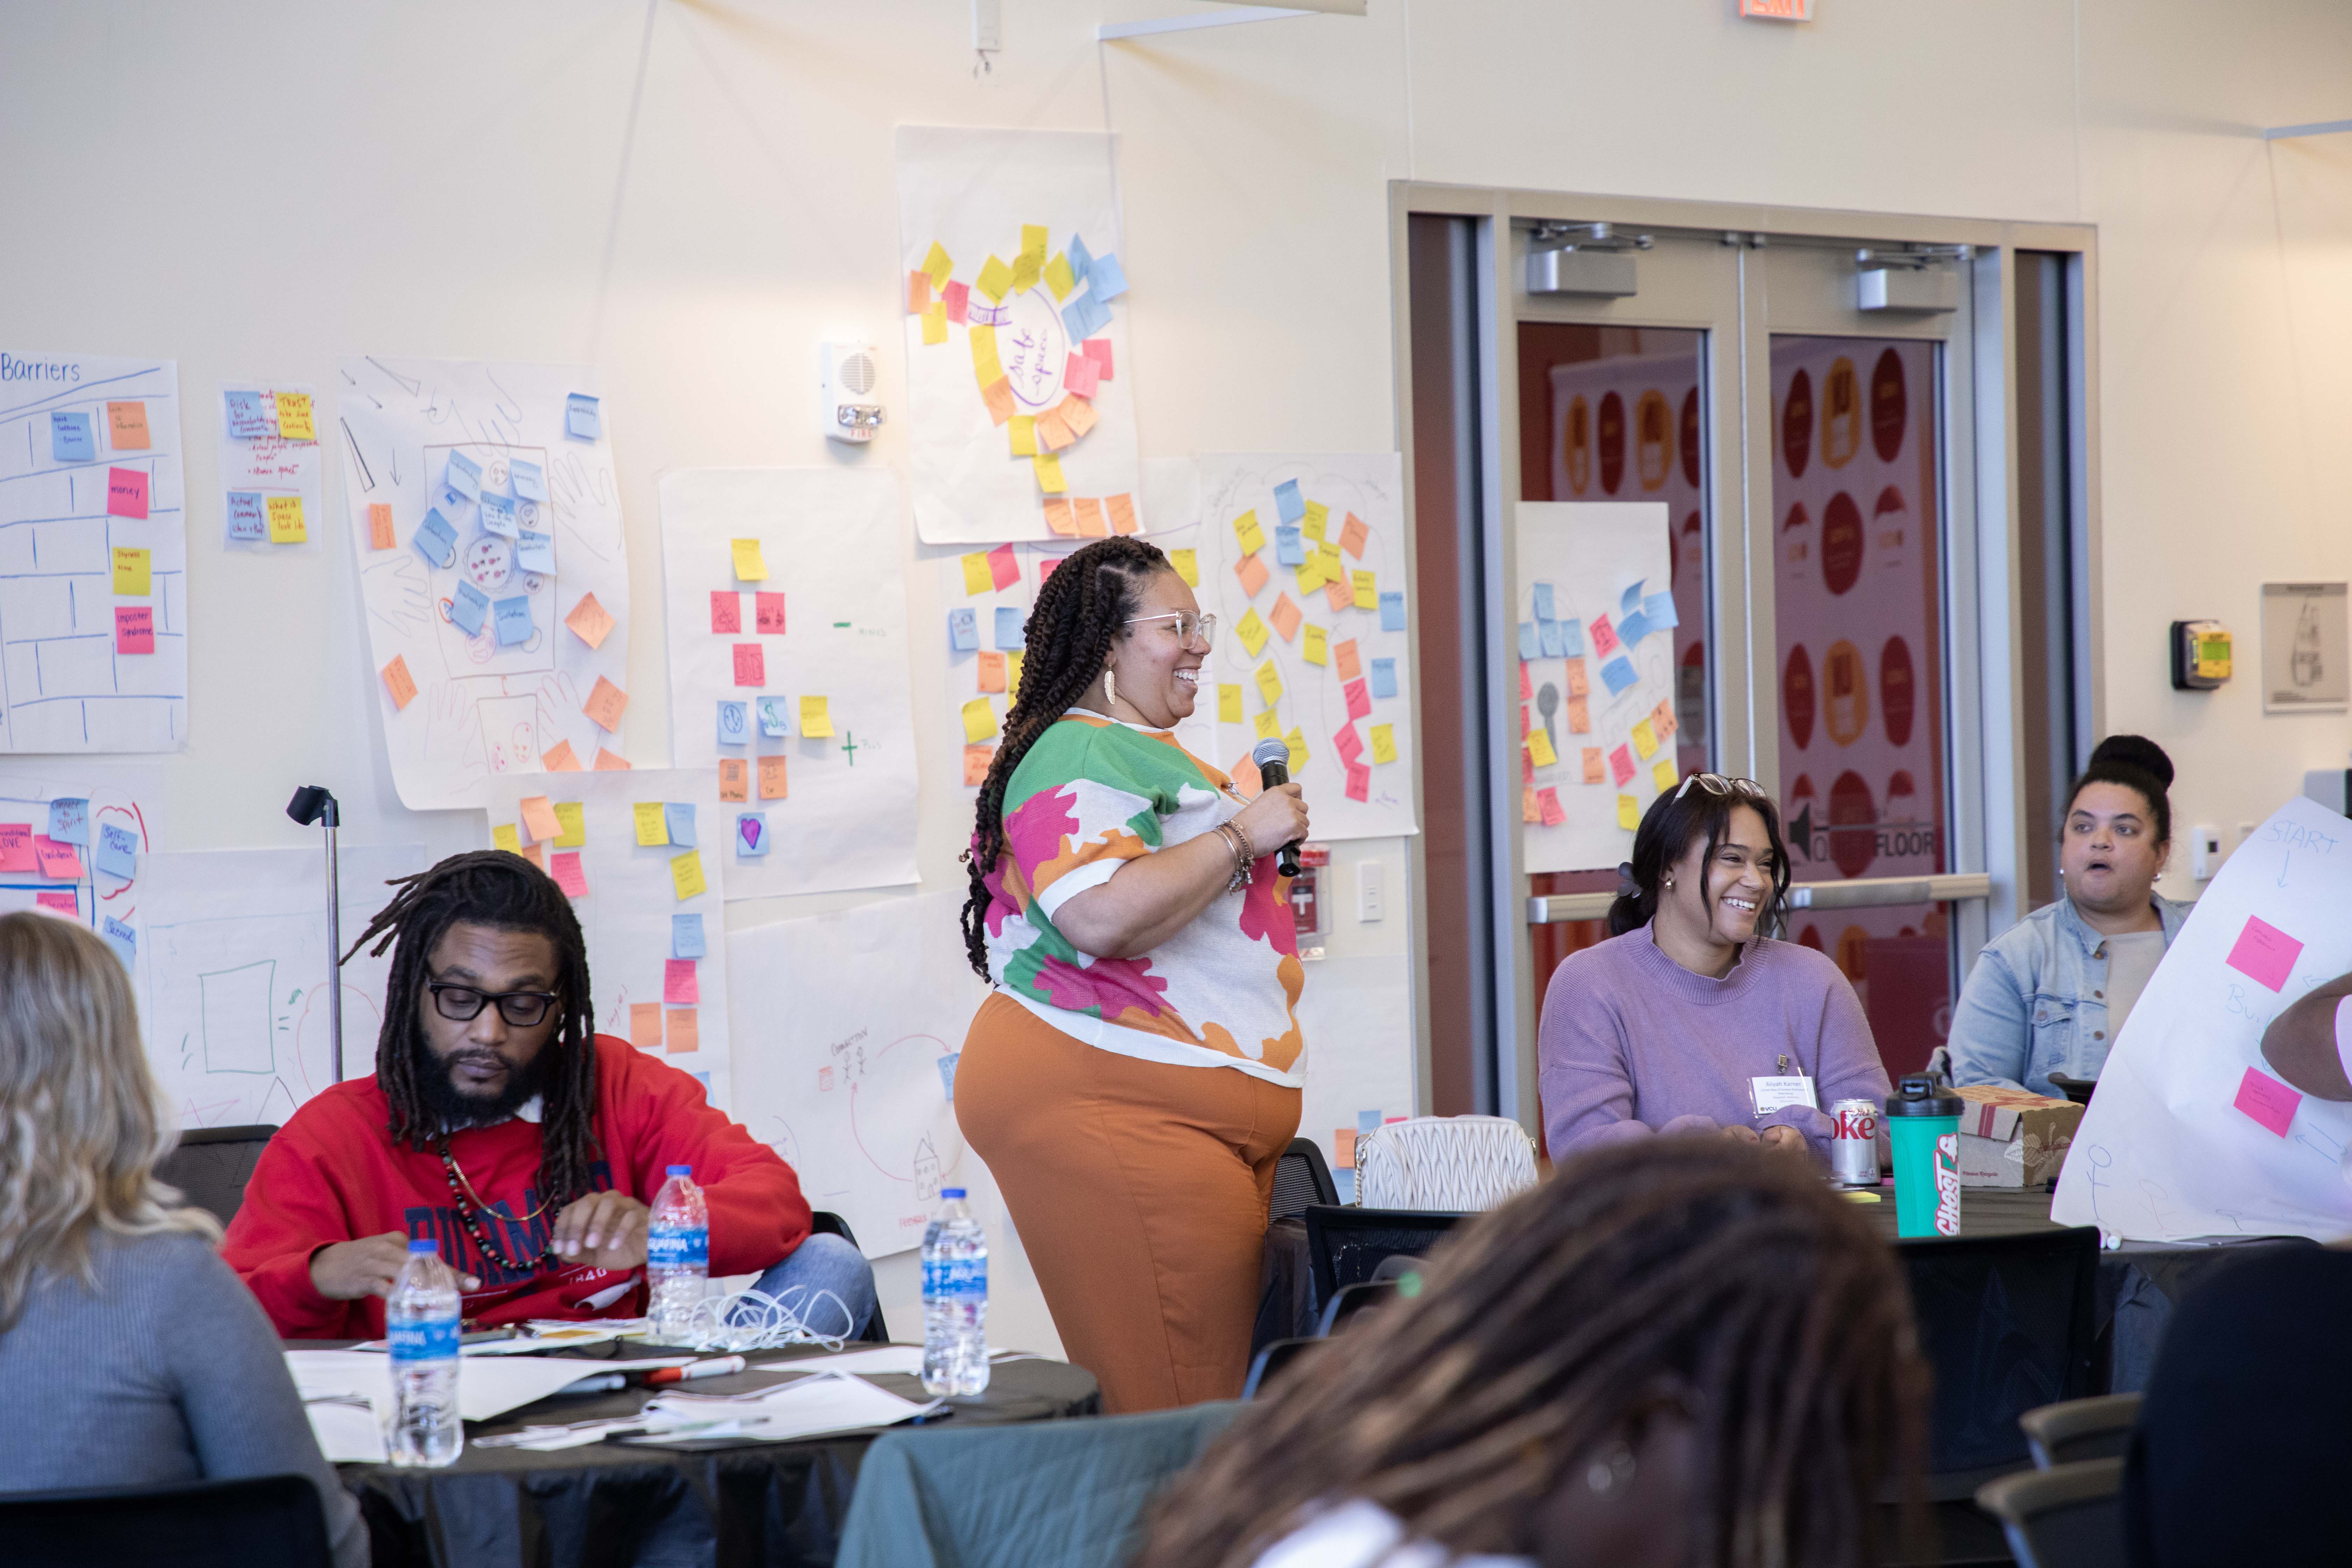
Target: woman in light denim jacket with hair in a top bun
(2052, 993)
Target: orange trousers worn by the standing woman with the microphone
(1140, 1193)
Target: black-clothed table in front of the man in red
(613, 1506)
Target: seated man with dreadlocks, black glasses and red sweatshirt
(507, 1130)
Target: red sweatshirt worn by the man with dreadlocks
(333, 1174)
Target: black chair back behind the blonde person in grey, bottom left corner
(260, 1522)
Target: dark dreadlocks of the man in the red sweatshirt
(490, 887)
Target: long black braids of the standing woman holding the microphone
(1081, 612)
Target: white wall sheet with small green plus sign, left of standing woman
(831, 544)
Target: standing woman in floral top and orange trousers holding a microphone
(1135, 1073)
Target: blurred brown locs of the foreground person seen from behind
(1544, 1336)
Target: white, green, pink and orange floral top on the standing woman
(1088, 798)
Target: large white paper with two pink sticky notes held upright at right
(2165, 1153)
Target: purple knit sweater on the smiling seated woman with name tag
(1636, 1045)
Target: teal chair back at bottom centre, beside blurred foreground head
(1060, 1494)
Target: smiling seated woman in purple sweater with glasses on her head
(1688, 1019)
